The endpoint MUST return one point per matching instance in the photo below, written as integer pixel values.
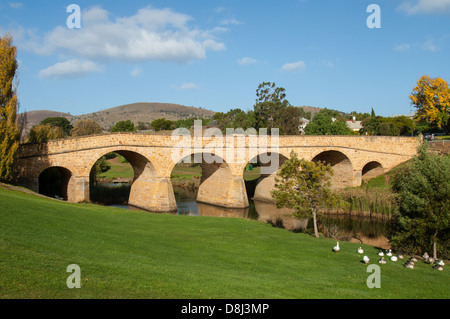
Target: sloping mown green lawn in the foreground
(134, 254)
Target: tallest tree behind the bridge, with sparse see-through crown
(270, 102)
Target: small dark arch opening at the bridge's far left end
(55, 182)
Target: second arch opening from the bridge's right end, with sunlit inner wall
(342, 167)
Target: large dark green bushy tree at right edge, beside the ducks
(423, 219)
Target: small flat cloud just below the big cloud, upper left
(69, 69)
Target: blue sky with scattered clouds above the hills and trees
(214, 53)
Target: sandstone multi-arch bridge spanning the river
(223, 160)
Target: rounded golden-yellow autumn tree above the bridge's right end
(431, 98)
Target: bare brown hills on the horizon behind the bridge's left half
(136, 112)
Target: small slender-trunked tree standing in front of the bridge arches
(304, 186)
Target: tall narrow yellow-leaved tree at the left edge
(9, 130)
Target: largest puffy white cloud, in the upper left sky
(150, 34)
